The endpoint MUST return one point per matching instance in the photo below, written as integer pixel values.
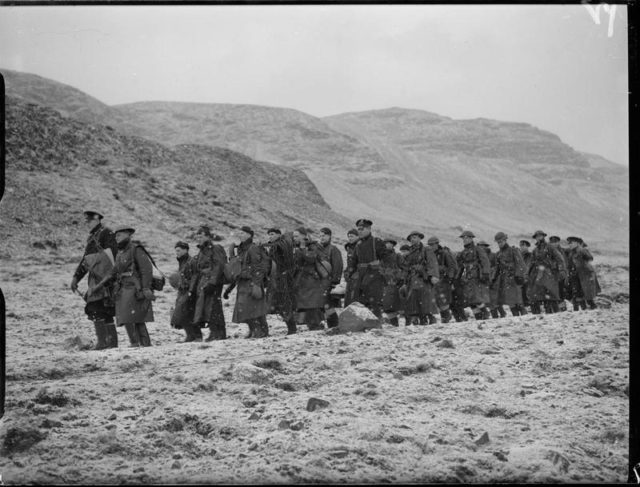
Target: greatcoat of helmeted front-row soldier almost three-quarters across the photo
(473, 265)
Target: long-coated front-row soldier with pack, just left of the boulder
(311, 287)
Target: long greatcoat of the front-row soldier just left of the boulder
(311, 288)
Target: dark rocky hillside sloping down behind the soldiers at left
(57, 165)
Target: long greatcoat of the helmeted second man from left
(132, 273)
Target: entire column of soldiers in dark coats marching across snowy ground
(299, 278)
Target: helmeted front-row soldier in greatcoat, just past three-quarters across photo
(509, 276)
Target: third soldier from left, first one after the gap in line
(183, 310)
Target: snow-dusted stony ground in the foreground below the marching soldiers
(531, 399)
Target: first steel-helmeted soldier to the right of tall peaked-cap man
(421, 271)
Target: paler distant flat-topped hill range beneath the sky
(403, 168)
